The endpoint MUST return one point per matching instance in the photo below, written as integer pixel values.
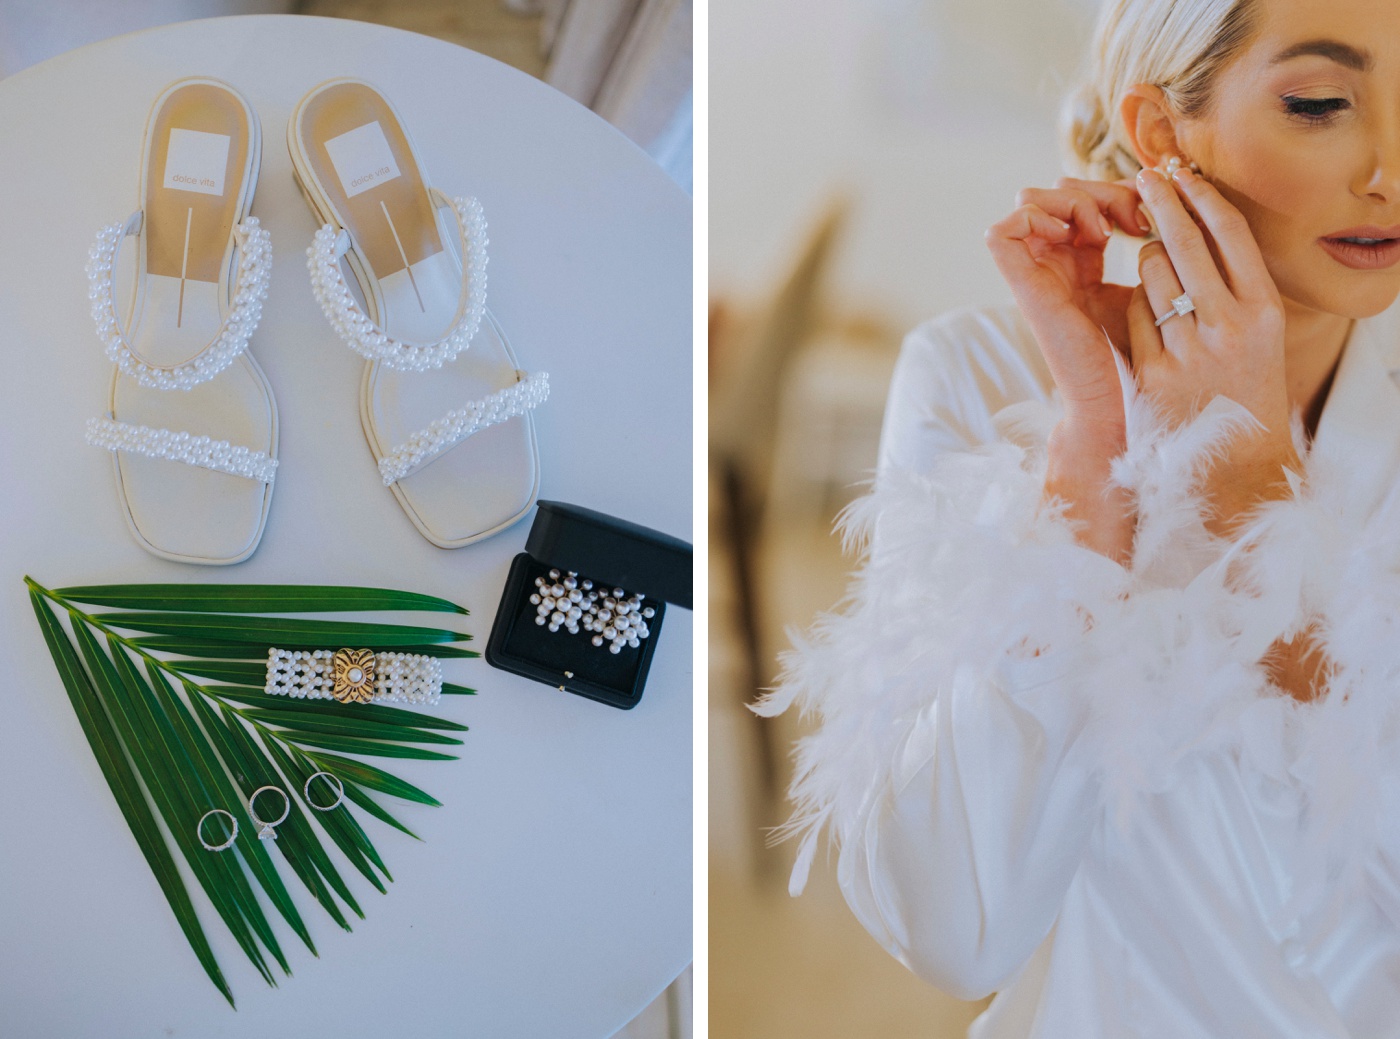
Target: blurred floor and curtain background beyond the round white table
(629, 61)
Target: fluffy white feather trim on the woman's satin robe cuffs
(967, 575)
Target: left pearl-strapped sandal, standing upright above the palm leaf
(181, 355)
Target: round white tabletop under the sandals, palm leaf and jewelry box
(551, 897)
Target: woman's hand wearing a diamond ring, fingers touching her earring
(1233, 345)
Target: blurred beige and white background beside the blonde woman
(859, 151)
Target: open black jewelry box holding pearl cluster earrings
(611, 552)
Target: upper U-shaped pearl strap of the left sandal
(251, 289)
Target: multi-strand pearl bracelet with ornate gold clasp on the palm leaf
(353, 676)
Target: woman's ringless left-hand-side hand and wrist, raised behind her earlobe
(1051, 251)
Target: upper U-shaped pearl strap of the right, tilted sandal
(355, 327)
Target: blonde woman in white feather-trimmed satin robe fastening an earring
(1111, 722)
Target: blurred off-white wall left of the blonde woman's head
(932, 114)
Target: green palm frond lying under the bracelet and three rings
(167, 683)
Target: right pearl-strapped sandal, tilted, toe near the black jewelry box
(456, 446)
